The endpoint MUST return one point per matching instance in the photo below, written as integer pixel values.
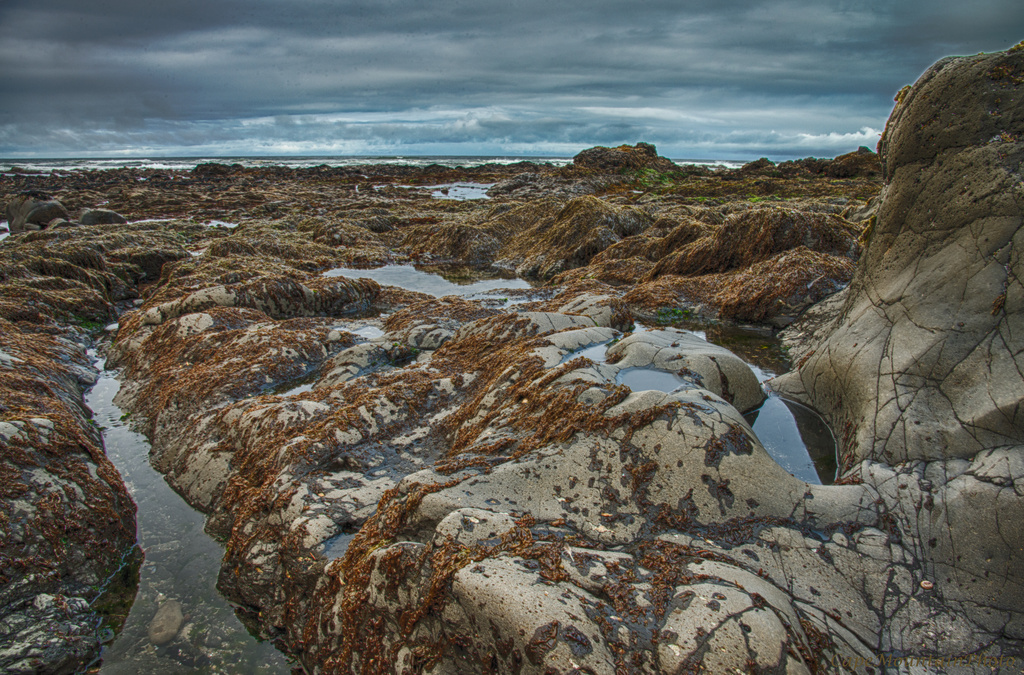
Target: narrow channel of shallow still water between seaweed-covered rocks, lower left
(182, 566)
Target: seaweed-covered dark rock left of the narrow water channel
(67, 522)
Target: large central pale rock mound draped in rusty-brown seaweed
(484, 481)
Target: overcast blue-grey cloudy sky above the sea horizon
(720, 79)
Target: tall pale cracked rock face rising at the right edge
(921, 367)
